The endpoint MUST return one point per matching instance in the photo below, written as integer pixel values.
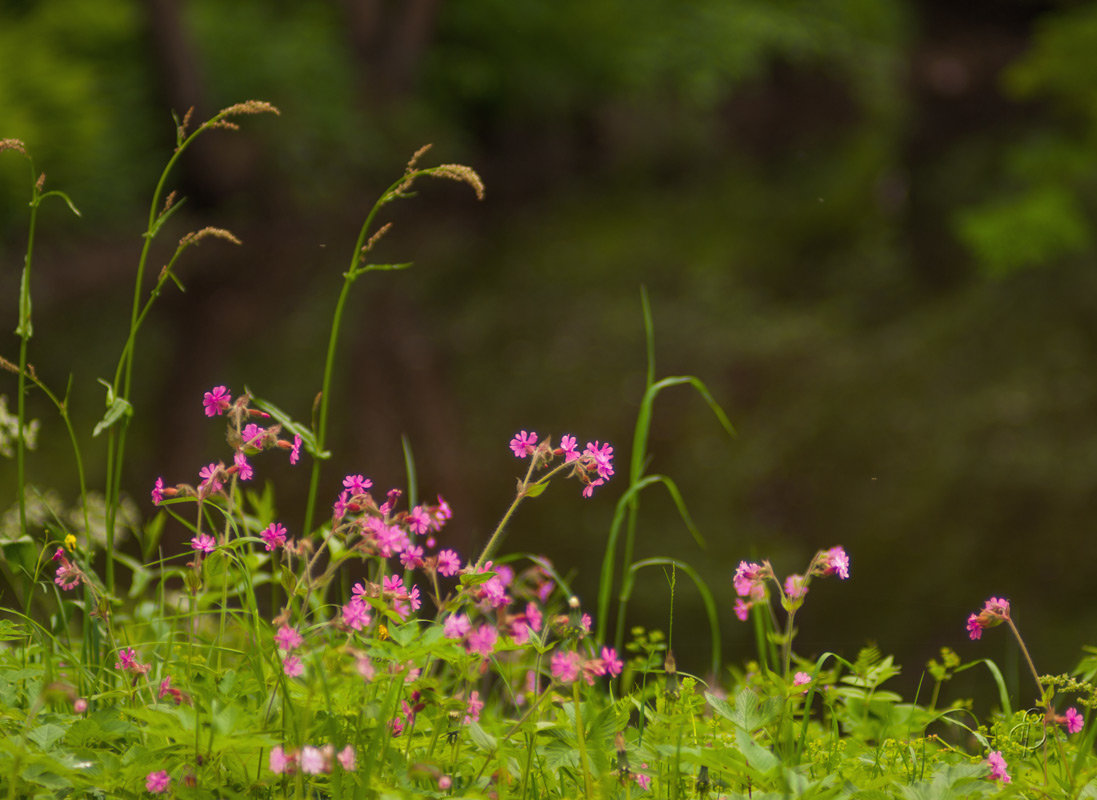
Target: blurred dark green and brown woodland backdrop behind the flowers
(867, 226)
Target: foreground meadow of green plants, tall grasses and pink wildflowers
(364, 657)
